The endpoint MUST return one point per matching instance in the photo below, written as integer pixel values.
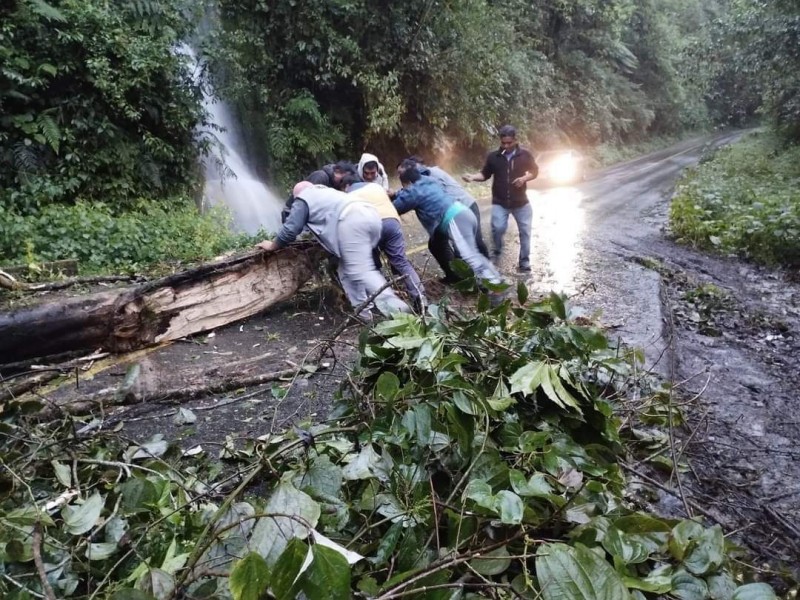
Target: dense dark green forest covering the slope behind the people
(97, 104)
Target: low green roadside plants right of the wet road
(743, 200)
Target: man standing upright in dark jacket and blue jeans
(511, 167)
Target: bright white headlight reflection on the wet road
(558, 227)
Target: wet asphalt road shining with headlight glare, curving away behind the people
(585, 235)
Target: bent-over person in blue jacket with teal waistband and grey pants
(439, 213)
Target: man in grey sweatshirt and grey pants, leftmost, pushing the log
(348, 228)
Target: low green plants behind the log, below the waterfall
(103, 240)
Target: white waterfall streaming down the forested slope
(228, 178)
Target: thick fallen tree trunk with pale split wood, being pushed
(196, 300)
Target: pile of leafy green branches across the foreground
(468, 456)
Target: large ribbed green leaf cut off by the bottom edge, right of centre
(567, 573)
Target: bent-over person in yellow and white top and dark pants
(392, 242)
